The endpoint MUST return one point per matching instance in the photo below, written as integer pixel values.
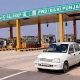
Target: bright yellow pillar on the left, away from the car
(18, 33)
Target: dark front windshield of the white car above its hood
(60, 48)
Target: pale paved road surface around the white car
(20, 66)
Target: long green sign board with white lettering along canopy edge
(42, 11)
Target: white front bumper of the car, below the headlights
(51, 66)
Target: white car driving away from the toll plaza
(59, 56)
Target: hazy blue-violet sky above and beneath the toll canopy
(9, 6)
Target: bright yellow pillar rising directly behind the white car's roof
(61, 29)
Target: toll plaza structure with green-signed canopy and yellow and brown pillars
(60, 13)
